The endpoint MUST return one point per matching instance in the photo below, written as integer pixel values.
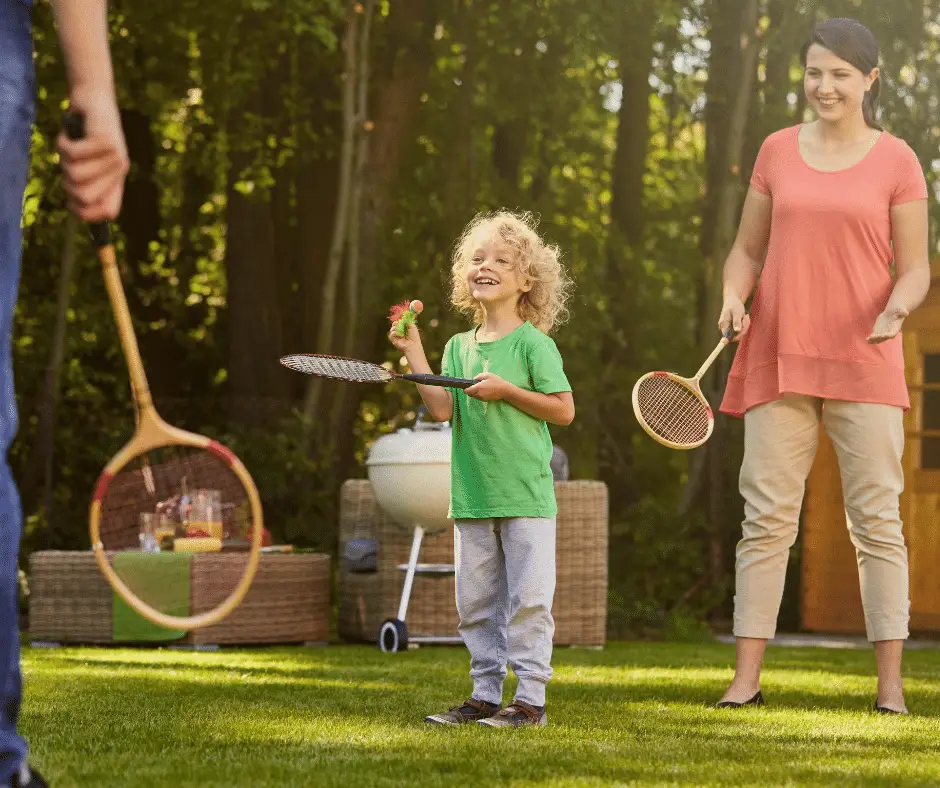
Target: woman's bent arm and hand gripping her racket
(743, 264)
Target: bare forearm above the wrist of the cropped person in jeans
(83, 32)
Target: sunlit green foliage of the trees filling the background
(518, 108)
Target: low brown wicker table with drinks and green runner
(288, 602)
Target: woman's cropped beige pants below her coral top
(780, 440)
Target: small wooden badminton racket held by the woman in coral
(672, 409)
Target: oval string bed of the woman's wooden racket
(672, 410)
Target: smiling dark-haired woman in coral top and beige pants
(833, 205)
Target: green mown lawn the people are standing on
(633, 714)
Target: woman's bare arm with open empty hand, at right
(912, 262)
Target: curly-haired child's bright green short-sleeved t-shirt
(500, 456)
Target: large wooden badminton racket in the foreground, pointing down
(171, 489)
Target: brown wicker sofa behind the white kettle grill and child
(368, 598)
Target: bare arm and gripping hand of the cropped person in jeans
(95, 167)
